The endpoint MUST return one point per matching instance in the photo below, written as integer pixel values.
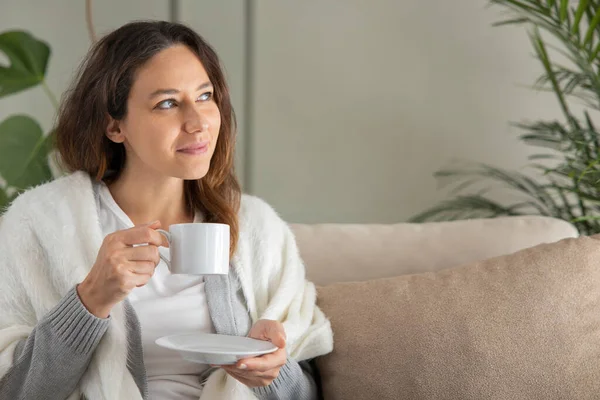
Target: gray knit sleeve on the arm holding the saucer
(296, 381)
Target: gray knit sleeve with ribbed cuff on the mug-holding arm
(50, 362)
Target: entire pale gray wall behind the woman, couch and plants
(346, 108)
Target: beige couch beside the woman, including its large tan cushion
(505, 308)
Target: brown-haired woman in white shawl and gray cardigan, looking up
(148, 132)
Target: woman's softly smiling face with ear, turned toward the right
(172, 122)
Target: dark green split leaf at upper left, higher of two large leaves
(28, 59)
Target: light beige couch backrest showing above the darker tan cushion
(346, 252)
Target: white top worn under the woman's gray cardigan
(167, 304)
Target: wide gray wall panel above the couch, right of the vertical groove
(358, 103)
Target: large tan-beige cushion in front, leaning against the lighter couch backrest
(522, 326)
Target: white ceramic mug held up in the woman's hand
(198, 248)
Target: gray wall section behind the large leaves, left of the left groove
(61, 23)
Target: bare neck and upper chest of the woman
(144, 197)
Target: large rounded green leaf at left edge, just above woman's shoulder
(23, 152)
